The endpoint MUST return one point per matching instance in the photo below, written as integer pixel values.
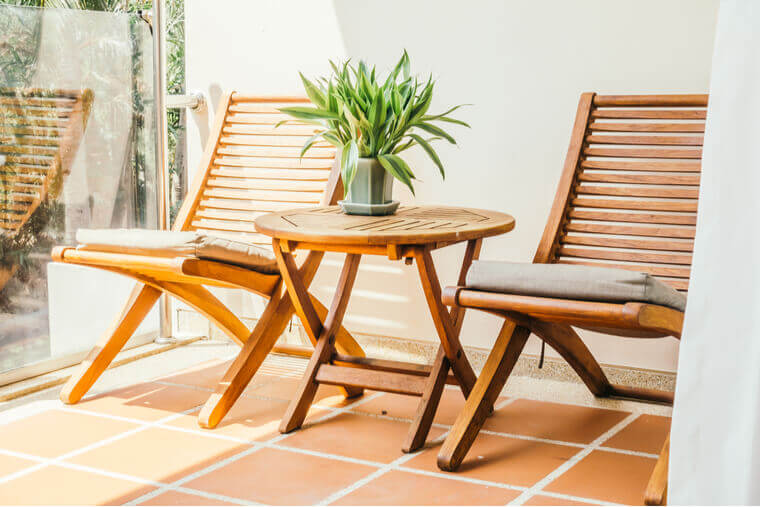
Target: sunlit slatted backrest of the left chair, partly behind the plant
(252, 167)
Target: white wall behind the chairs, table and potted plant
(523, 64)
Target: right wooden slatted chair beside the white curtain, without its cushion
(627, 198)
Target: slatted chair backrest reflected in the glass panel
(40, 132)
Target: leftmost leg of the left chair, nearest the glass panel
(141, 300)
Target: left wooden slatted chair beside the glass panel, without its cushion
(249, 168)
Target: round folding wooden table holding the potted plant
(410, 234)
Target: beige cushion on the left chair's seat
(176, 244)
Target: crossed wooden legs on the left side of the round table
(322, 334)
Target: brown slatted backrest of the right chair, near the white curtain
(628, 194)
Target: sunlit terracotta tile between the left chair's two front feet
(148, 402)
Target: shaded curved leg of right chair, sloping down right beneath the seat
(569, 345)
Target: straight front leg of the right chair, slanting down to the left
(501, 361)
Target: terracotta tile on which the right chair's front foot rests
(502, 459)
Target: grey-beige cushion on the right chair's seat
(565, 281)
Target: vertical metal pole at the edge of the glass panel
(162, 158)
